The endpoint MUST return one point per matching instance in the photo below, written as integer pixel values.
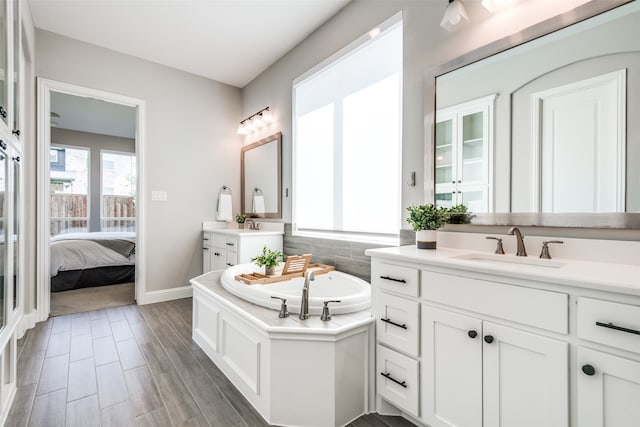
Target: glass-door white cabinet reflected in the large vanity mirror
(463, 155)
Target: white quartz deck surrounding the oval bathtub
(268, 319)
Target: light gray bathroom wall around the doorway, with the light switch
(192, 149)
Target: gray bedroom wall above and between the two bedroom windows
(95, 143)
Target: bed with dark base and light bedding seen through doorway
(81, 260)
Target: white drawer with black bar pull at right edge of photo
(609, 323)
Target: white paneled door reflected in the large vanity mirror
(582, 145)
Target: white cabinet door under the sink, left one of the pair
(452, 369)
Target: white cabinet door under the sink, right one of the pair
(525, 378)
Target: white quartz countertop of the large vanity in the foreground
(610, 277)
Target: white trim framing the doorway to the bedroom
(43, 266)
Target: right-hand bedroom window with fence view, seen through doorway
(118, 191)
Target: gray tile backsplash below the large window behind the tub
(346, 256)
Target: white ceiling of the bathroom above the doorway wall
(231, 41)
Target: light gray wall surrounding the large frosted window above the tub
(426, 45)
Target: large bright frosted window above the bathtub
(347, 118)
